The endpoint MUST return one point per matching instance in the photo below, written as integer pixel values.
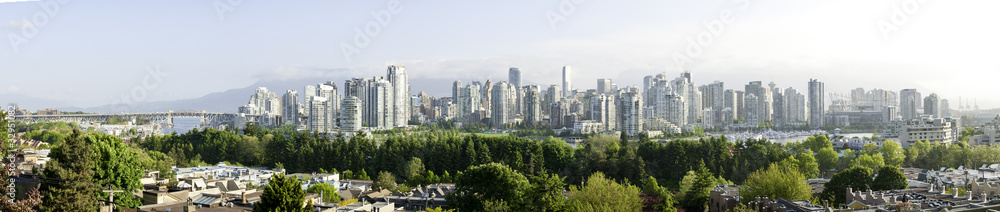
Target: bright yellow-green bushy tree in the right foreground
(779, 180)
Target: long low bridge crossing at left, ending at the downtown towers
(208, 119)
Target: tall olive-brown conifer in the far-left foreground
(70, 174)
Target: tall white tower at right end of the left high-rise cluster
(400, 95)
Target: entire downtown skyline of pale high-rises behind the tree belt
(661, 105)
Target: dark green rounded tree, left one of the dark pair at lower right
(857, 178)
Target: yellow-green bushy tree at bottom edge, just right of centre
(602, 194)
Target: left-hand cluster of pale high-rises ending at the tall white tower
(380, 102)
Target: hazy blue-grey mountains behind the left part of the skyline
(226, 102)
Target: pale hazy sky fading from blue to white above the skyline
(91, 53)
